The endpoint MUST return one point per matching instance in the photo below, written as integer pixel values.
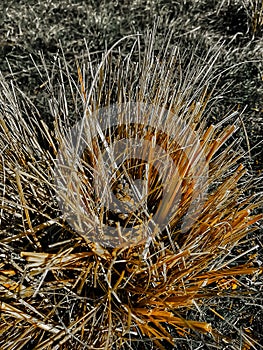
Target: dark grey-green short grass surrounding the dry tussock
(29, 28)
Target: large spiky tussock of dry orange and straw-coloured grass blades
(62, 290)
